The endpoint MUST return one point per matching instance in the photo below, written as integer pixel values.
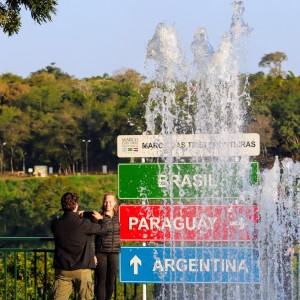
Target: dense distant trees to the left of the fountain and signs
(62, 110)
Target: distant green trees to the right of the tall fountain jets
(274, 114)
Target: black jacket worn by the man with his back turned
(73, 241)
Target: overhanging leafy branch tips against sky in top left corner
(10, 19)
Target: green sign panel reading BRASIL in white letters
(183, 180)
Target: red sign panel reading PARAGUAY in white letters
(159, 223)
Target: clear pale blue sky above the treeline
(90, 38)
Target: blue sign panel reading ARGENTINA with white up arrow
(189, 265)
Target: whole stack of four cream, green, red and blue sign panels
(187, 223)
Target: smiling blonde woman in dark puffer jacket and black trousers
(107, 248)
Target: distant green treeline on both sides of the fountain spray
(51, 118)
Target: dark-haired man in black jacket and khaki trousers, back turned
(73, 255)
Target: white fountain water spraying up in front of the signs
(210, 96)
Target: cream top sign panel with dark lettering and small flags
(189, 145)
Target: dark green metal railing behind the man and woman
(27, 273)
